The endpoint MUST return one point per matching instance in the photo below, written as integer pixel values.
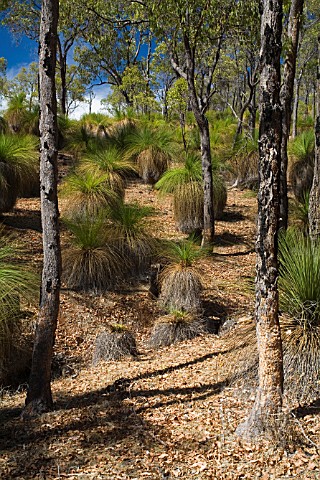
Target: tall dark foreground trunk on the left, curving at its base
(39, 396)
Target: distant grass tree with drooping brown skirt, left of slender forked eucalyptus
(152, 149)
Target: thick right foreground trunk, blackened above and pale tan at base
(268, 400)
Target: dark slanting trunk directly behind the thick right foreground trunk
(286, 96)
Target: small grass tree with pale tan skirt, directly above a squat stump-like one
(180, 281)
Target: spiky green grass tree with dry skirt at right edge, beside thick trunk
(299, 286)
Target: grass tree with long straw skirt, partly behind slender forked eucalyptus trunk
(185, 183)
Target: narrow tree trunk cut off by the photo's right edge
(314, 201)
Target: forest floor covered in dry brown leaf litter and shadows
(167, 413)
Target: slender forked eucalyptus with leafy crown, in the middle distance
(194, 36)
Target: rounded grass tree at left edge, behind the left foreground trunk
(19, 167)
